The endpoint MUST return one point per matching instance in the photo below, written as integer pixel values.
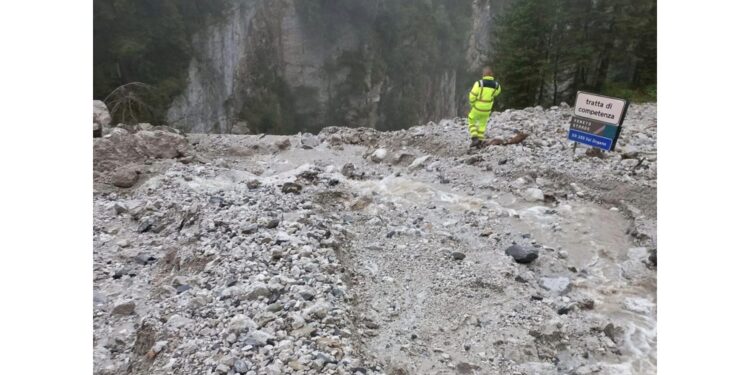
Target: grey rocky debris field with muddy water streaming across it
(359, 251)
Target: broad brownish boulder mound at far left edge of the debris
(122, 147)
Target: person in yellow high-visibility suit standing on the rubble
(481, 98)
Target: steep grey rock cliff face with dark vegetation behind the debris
(280, 66)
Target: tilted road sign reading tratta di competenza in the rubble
(597, 120)
